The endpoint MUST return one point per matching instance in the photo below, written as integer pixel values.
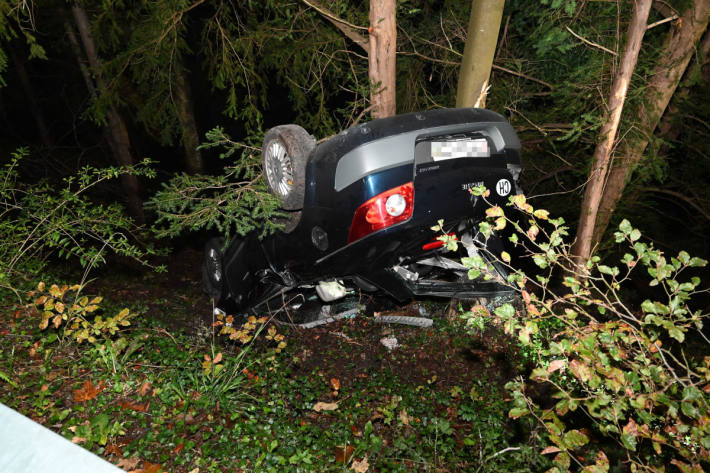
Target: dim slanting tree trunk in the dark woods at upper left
(119, 140)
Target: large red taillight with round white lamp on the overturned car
(383, 210)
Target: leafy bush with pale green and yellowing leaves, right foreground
(615, 382)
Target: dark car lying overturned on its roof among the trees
(361, 206)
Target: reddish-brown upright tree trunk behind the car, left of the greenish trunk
(382, 57)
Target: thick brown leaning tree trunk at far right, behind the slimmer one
(669, 70)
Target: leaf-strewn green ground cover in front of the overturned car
(165, 401)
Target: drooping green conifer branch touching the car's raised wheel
(236, 201)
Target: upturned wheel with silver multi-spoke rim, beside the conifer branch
(284, 155)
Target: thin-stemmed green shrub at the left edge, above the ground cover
(39, 220)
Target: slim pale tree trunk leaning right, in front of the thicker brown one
(601, 160)
